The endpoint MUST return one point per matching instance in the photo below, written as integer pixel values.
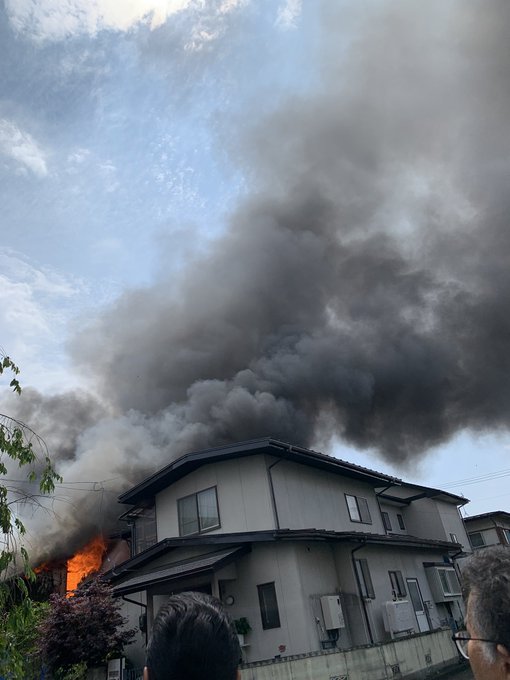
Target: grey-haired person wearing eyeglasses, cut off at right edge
(486, 588)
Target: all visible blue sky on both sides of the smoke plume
(124, 154)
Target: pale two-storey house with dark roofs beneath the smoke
(317, 553)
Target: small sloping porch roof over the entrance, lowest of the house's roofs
(191, 567)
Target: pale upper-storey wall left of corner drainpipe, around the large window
(244, 499)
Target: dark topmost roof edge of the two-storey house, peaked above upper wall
(191, 461)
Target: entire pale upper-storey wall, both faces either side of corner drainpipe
(305, 497)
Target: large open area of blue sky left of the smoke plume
(113, 141)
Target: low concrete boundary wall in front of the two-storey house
(418, 656)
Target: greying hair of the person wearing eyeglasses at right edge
(486, 578)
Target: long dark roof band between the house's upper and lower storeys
(234, 541)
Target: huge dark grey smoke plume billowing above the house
(361, 291)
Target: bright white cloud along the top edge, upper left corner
(59, 19)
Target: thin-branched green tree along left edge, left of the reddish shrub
(19, 617)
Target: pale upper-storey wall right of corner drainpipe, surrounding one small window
(308, 498)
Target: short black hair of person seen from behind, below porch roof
(192, 639)
